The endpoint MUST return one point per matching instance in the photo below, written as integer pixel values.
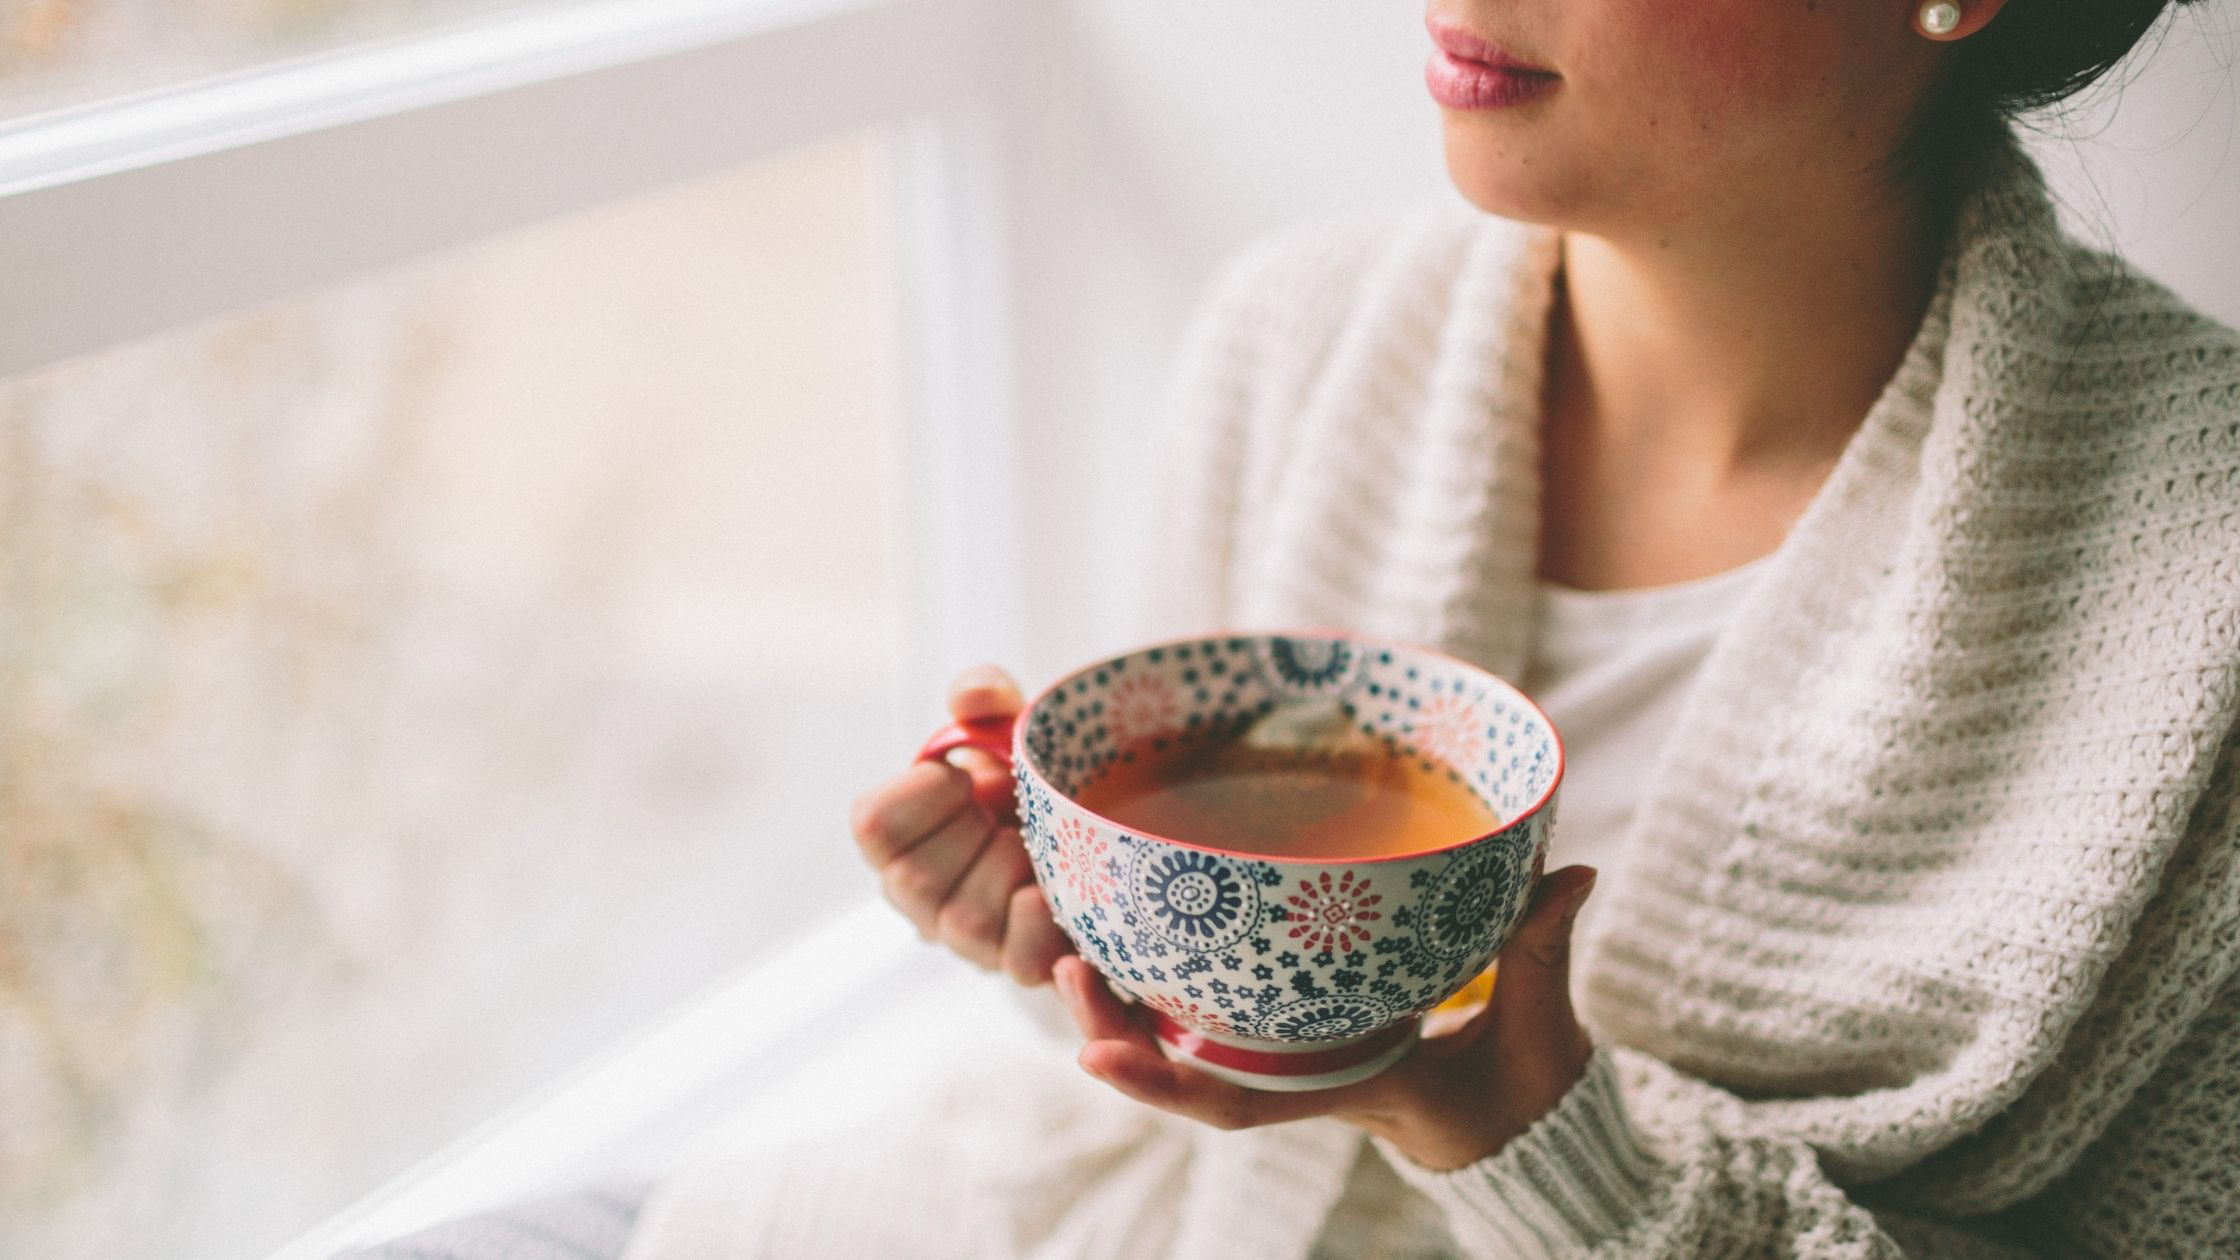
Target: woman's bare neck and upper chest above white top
(1704, 387)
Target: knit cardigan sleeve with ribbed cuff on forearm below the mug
(1636, 1165)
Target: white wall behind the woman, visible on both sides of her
(1173, 131)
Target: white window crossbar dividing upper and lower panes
(178, 207)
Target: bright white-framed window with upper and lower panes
(447, 609)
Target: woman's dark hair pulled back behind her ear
(2033, 55)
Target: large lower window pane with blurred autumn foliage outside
(409, 692)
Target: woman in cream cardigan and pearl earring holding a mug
(1878, 553)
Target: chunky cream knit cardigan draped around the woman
(1930, 925)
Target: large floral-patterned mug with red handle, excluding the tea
(1280, 974)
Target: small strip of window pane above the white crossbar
(64, 53)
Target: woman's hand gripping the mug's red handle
(946, 846)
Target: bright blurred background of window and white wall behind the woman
(485, 483)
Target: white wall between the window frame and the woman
(1166, 136)
